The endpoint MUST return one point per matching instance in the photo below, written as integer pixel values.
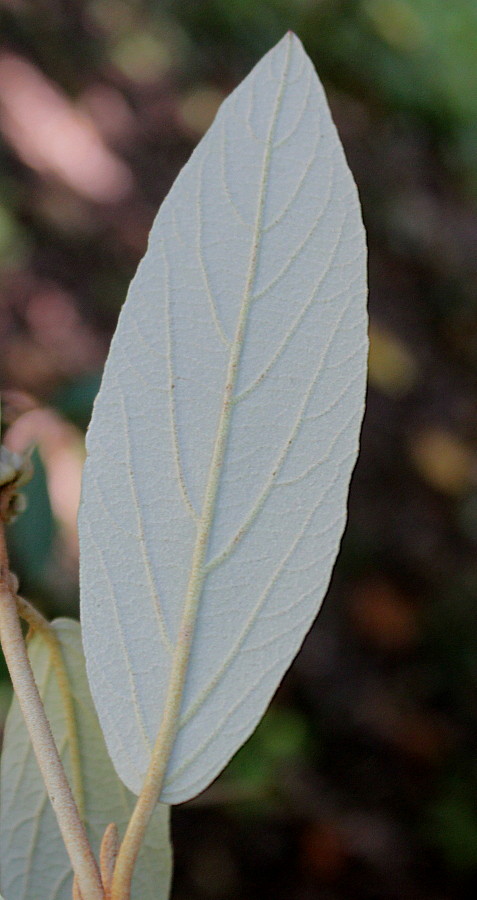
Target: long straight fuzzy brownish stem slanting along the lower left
(59, 792)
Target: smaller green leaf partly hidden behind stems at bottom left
(34, 863)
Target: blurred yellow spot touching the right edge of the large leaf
(392, 368)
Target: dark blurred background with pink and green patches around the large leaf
(361, 782)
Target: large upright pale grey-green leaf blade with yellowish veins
(225, 432)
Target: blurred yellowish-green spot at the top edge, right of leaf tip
(396, 23)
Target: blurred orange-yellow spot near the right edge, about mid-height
(444, 461)
